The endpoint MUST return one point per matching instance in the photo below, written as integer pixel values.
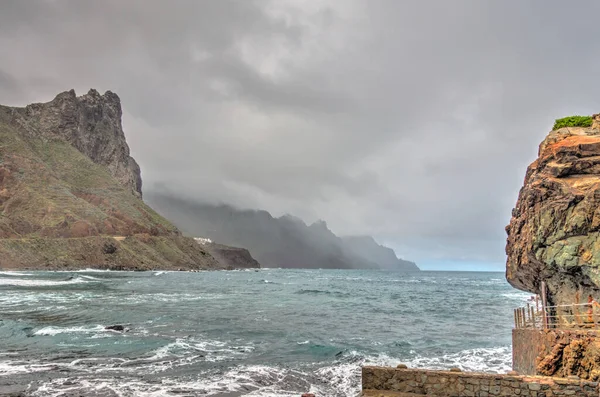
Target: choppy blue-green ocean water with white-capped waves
(272, 332)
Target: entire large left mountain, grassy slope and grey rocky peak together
(70, 193)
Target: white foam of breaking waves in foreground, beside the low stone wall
(338, 379)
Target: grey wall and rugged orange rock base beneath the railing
(554, 352)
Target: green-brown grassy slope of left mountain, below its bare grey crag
(61, 210)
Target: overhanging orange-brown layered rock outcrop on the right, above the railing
(554, 233)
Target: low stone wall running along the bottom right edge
(465, 384)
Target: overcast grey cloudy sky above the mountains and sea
(412, 121)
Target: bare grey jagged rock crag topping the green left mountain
(92, 124)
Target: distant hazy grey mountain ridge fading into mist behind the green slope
(286, 242)
